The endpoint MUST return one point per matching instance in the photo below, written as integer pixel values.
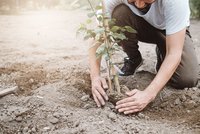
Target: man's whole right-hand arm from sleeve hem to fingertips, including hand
(138, 100)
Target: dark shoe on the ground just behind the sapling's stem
(130, 66)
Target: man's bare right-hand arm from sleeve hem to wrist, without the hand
(174, 48)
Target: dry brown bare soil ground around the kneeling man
(42, 56)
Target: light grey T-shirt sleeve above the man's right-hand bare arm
(177, 15)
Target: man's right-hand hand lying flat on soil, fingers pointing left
(136, 101)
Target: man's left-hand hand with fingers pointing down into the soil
(98, 92)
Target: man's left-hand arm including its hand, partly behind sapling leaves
(98, 83)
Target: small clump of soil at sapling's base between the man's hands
(115, 96)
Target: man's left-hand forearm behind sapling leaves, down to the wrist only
(94, 62)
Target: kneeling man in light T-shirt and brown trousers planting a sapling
(164, 23)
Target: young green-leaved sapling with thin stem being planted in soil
(107, 35)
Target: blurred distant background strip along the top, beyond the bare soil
(15, 6)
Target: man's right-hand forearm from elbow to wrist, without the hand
(166, 71)
